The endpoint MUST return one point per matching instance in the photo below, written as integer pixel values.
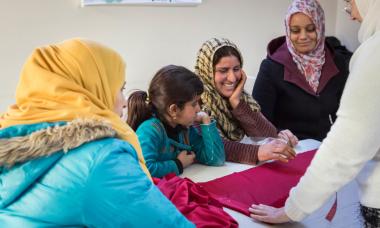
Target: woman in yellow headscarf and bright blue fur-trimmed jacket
(66, 157)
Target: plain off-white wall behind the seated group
(147, 37)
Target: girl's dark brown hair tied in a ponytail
(170, 85)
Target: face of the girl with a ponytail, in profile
(187, 115)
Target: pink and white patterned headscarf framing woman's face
(309, 64)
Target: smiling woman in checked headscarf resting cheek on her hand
(219, 66)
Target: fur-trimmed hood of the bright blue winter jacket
(27, 152)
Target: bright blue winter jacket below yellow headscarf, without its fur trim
(98, 184)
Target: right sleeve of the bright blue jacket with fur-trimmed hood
(119, 194)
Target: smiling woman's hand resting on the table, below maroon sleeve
(276, 149)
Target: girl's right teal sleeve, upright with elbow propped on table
(207, 144)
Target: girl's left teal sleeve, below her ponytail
(151, 137)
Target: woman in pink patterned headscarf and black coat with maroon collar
(300, 83)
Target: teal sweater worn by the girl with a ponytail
(160, 151)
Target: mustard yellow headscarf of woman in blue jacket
(73, 79)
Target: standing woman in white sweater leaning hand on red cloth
(351, 149)
